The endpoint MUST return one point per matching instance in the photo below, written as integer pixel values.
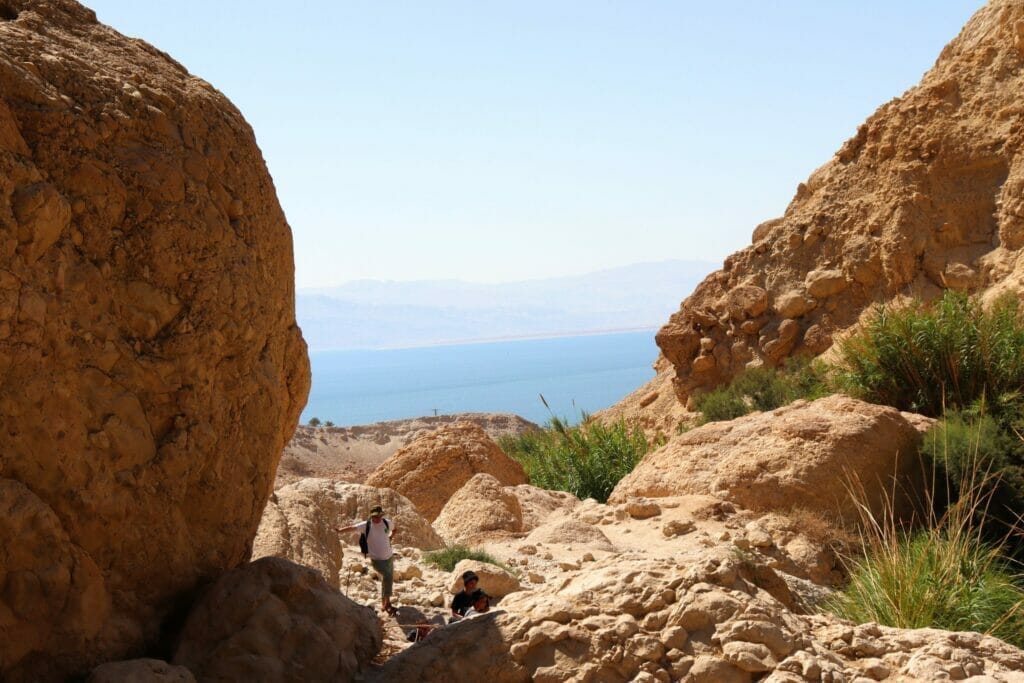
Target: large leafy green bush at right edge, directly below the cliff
(928, 358)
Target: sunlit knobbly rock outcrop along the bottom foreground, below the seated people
(705, 618)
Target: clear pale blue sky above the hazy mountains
(497, 142)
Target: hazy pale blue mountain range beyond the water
(369, 314)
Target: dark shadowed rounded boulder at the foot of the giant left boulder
(275, 621)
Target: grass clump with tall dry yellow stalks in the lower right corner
(945, 576)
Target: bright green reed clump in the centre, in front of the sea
(587, 460)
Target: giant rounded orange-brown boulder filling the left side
(151, 369)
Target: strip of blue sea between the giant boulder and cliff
(575, 374)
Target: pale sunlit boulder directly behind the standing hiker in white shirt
(300, 522)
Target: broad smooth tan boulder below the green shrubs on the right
(804, 455)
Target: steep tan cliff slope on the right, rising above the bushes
(928, 195)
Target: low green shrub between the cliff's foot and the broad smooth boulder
(763, 390)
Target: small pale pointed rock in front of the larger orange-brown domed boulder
(483, 506)
